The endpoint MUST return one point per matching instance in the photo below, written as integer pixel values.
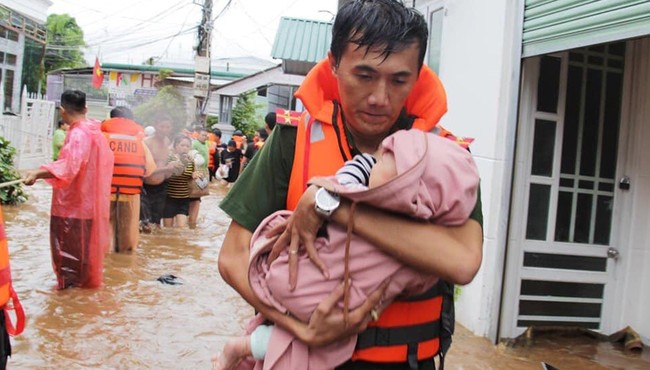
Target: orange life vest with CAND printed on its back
(125, 140)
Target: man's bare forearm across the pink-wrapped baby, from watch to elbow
(453, 253)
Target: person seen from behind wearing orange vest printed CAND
(133, 162)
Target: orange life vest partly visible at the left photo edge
(6, 289)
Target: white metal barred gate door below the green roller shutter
(561, 264)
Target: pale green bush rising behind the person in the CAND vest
(167, 101)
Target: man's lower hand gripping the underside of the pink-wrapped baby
(327, 325)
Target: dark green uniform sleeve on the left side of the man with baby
(262, 188)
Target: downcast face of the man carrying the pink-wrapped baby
(373, 88)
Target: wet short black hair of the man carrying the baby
(387, 25)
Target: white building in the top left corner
(19, 20)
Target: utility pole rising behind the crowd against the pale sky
(202, 61)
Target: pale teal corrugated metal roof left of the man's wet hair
(302, 40)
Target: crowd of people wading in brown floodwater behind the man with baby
(115, 179)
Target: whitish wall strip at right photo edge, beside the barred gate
(633, 282)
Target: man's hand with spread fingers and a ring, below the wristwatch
(300, 229)
